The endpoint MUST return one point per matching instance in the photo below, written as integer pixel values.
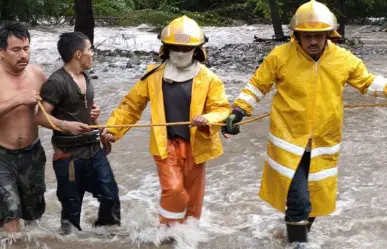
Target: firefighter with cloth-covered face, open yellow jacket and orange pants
(180, 89)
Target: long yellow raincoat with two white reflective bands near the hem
(308, 105)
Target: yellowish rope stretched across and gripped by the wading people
(246, 121)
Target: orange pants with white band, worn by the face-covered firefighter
(182, 183)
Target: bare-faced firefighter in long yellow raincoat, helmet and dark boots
(306, 120)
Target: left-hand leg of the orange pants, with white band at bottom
(174, 197)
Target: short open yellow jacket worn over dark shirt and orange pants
(208, 99)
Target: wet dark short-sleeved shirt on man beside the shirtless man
(62, 92)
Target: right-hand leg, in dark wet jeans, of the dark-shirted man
(104, 187)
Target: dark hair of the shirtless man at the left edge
(13, 29)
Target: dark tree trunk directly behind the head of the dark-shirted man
(84, 18)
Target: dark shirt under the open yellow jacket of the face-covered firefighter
(177, 102)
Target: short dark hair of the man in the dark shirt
(69, 43)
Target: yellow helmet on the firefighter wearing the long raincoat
(314, 16)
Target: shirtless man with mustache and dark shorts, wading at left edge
(22, 158)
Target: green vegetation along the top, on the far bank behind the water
(159, 12)
